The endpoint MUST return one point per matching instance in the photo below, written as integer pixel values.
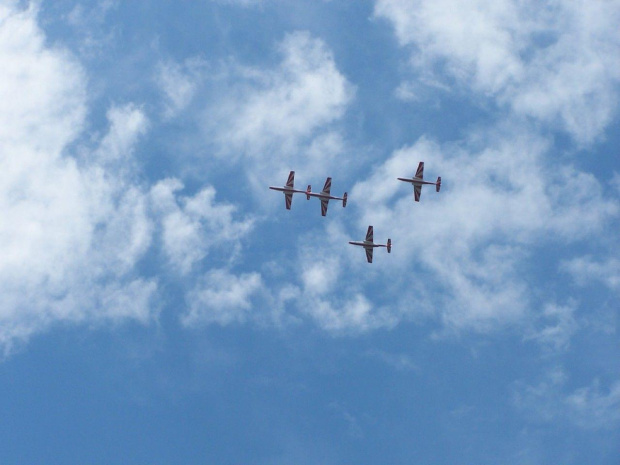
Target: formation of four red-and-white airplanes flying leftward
(325, 196)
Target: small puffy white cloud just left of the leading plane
(193, 225)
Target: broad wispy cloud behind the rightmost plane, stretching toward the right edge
(473, 239)
